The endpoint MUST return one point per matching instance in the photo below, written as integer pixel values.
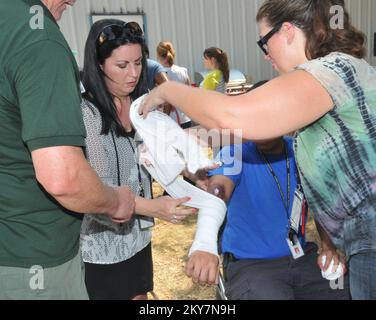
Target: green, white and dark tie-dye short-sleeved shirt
(336, 155)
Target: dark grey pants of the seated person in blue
(282, 279)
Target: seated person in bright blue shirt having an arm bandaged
(258, 181)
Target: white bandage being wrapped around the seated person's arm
(169, 150)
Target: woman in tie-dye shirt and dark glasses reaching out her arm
(327, 93)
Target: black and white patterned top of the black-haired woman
(102, 240)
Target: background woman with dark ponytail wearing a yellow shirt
(216, 61)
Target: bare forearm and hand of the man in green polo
(67, 176)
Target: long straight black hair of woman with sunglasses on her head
(93, 77)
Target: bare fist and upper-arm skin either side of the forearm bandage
(203, 267)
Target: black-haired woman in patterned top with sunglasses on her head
(117, 257)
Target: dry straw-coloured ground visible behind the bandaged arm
(171, 244)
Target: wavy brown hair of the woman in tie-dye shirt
(314, 17)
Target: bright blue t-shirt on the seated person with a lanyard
(257, 221)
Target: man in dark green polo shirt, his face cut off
(45, 180)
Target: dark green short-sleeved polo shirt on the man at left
(39, 108)
